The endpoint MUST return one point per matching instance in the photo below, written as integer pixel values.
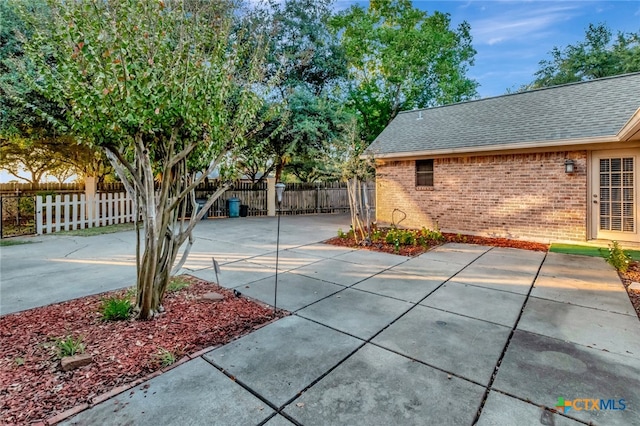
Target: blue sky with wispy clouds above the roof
(511, 37)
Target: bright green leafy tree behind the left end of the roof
(401, 58)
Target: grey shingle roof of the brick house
(596, 108)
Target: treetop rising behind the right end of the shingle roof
(599, 55)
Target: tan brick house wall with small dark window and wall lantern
(517, 196)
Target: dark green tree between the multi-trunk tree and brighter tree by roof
(310, 64)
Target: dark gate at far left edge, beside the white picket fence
(17, 215)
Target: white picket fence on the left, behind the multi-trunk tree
(75, 211)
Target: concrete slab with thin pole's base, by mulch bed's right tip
(294, 291)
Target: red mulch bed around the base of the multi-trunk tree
(122, 351)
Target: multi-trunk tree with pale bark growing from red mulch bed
(166, 90)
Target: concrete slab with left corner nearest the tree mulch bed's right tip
(356, 312)
